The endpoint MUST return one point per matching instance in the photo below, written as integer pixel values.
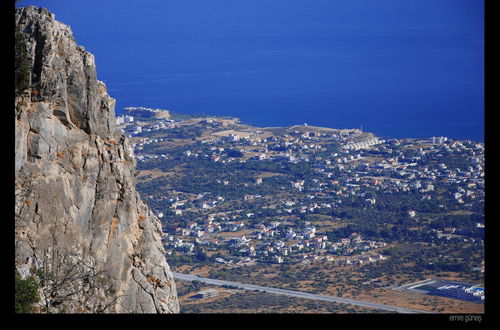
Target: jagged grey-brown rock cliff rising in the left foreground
(80, 225)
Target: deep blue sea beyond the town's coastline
(410, 68)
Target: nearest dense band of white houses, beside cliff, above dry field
(276, 242)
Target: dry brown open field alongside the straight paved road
(333, 281)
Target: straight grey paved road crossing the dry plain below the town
(298, 294)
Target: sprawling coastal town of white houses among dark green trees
(231, 195)
